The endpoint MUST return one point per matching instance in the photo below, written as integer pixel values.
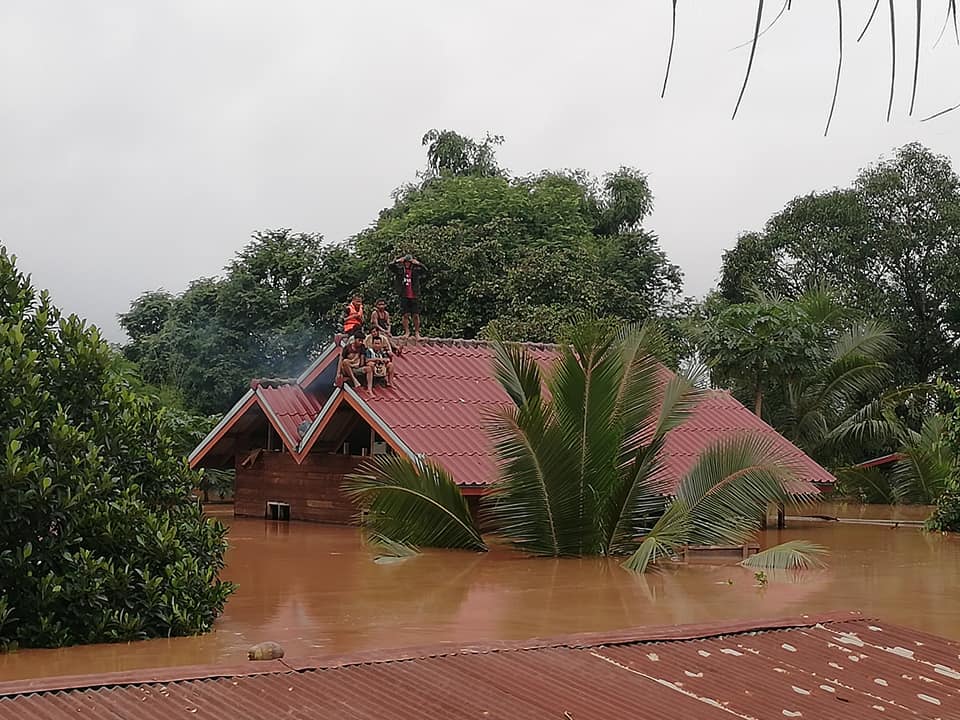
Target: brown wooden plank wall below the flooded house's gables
(312, 489)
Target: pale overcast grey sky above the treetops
(142, 142)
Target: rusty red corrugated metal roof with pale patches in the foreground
(813, 668)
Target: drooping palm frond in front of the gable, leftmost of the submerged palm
(413, 504)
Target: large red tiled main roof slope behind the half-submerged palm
(445, 391)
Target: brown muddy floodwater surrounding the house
(316, 590)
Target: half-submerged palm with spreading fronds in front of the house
(582, 466)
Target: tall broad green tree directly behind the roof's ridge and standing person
(520, 256)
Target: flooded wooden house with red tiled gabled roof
(292, 442)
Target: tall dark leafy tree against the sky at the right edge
(888, 244)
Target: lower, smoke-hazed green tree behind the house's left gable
(278, 301)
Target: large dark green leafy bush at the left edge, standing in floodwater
(100, 537)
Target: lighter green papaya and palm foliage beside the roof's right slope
(812, 367)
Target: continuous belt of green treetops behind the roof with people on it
(519, 256)
